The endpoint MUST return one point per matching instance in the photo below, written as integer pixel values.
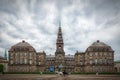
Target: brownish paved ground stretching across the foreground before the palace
(54, 77)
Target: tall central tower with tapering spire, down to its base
(59, 54)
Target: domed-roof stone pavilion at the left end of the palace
(22, 58)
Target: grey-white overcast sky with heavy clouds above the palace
(82, 21)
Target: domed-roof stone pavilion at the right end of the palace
(99, 57)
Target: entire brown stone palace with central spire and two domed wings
(98, 57)
